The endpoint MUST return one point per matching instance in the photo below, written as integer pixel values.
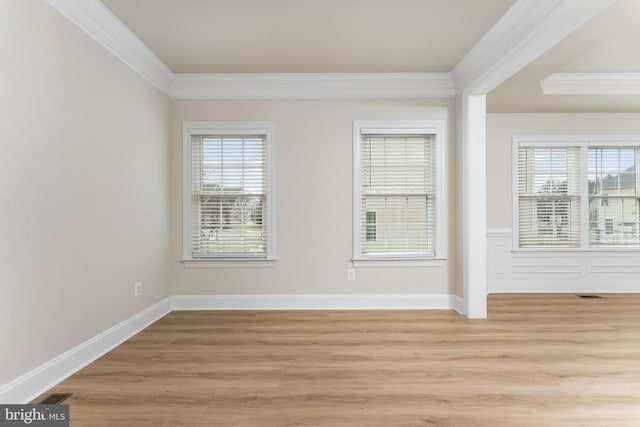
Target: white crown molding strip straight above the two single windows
(325, 85)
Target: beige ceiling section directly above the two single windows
(308, 36)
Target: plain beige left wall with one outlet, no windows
(84, 188)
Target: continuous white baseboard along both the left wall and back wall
(32, 384)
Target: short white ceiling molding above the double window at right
(591, 84)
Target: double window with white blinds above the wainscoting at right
(577, 192)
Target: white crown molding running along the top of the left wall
(97, 21)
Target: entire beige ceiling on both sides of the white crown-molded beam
(373, 36)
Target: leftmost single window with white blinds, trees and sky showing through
(227, 191)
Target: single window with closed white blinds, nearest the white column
(397, 190)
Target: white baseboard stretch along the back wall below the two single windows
(314, 302)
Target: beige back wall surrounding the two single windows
(313, 151)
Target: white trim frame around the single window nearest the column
(400, 127)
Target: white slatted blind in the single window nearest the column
(397, 195)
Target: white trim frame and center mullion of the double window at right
(584, 142)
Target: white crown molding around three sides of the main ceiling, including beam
(527, 29)
